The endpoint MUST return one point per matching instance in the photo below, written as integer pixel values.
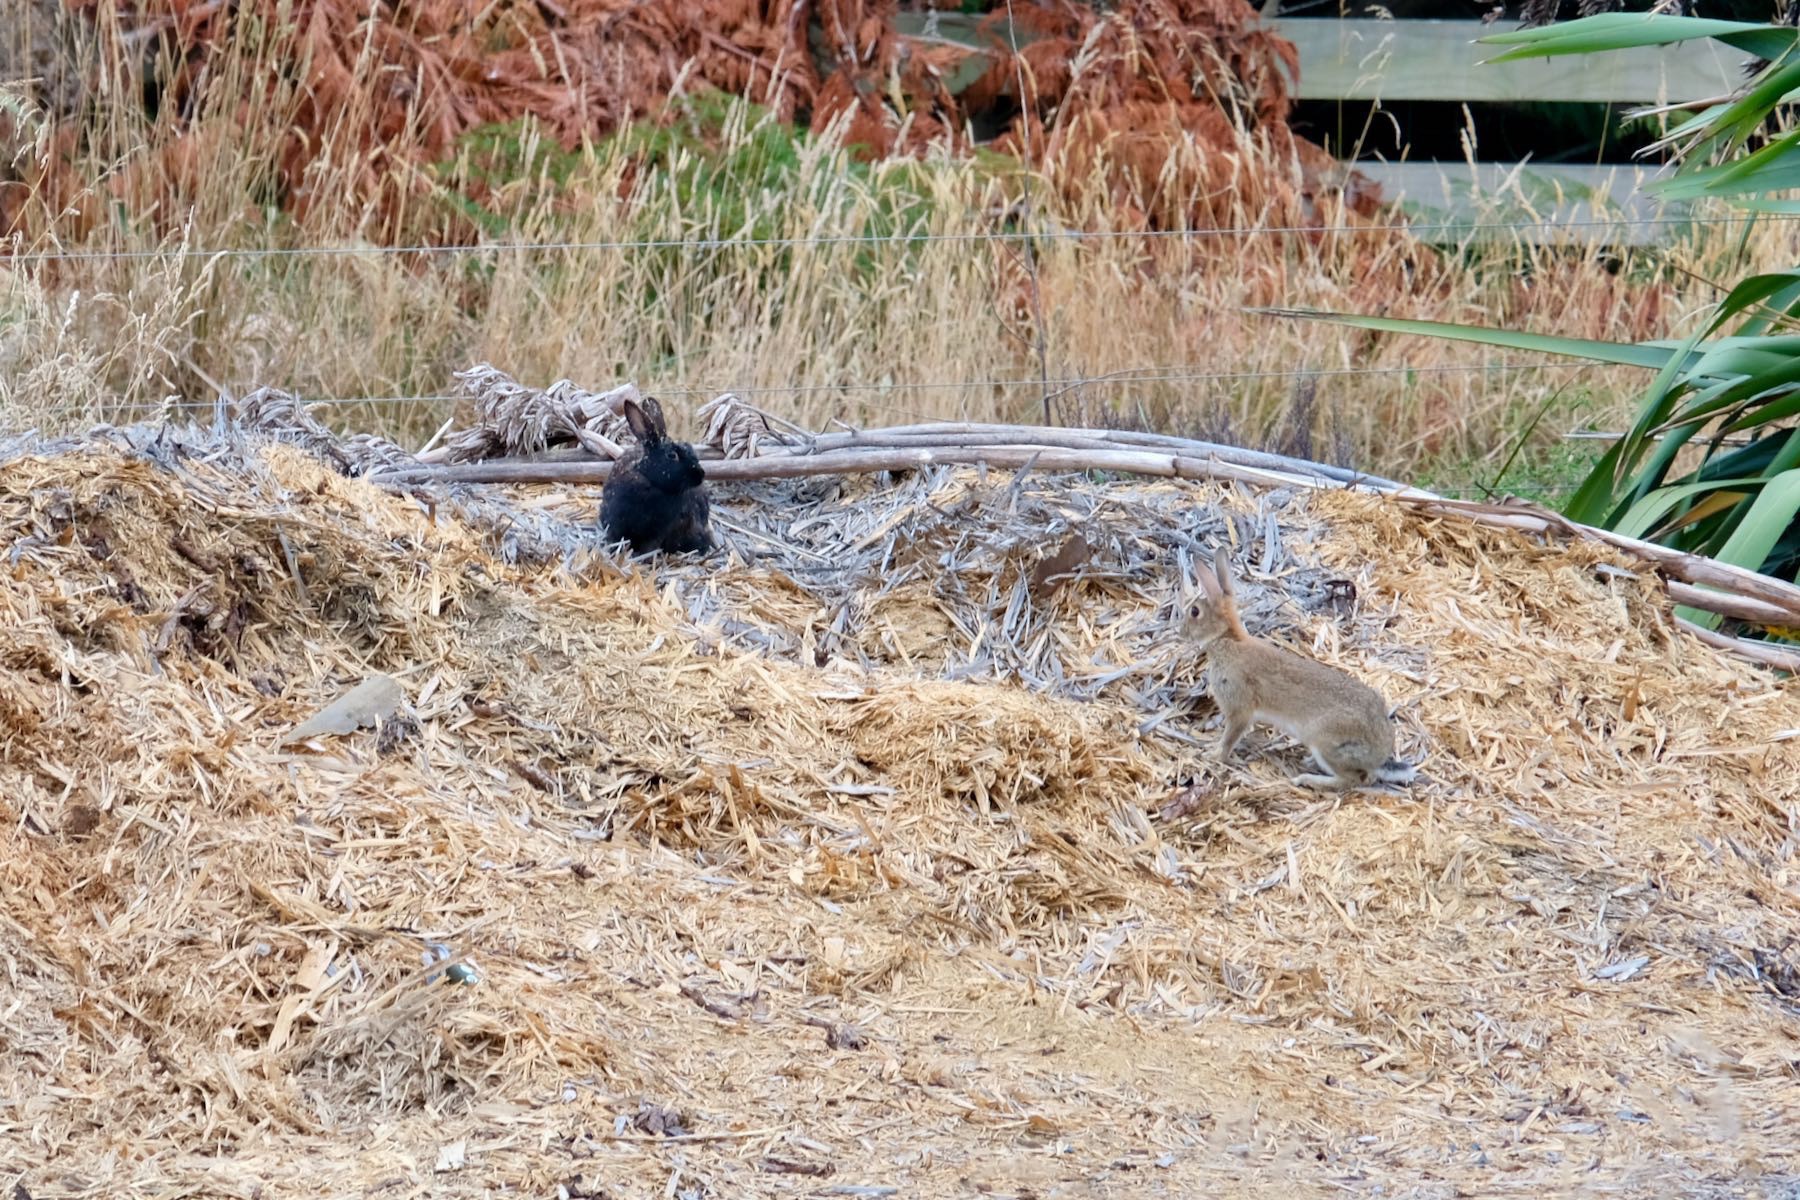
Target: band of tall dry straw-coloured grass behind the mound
(944, 325)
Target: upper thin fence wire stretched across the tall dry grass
(874, 240)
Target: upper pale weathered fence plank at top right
(1419, 60)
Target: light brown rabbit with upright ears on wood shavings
(1342, 721)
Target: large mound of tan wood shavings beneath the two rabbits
(742, 917)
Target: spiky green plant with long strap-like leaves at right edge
(1713, 460)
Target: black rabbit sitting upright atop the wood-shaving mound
(656, 494)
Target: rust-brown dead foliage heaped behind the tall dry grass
(1176, 107)
